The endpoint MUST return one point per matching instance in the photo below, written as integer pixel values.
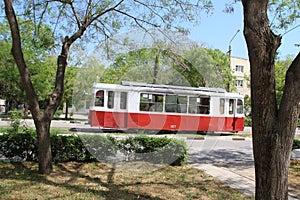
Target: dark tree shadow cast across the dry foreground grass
(28, 175)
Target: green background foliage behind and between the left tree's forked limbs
(41, 68)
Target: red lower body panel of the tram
(122, 120)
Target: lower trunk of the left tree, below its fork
(44, 146)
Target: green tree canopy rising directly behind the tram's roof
(196, 67)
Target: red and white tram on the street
(132, 105)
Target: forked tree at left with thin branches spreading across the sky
(73, 19)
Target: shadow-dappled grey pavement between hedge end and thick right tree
(230, 160)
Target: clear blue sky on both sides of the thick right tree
(216, 30)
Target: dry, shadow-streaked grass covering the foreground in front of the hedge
(74, 180)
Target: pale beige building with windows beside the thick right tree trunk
(240, 68)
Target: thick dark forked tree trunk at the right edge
(273, 125)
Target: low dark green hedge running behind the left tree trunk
(87, 148)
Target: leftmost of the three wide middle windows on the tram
(151, 102)
